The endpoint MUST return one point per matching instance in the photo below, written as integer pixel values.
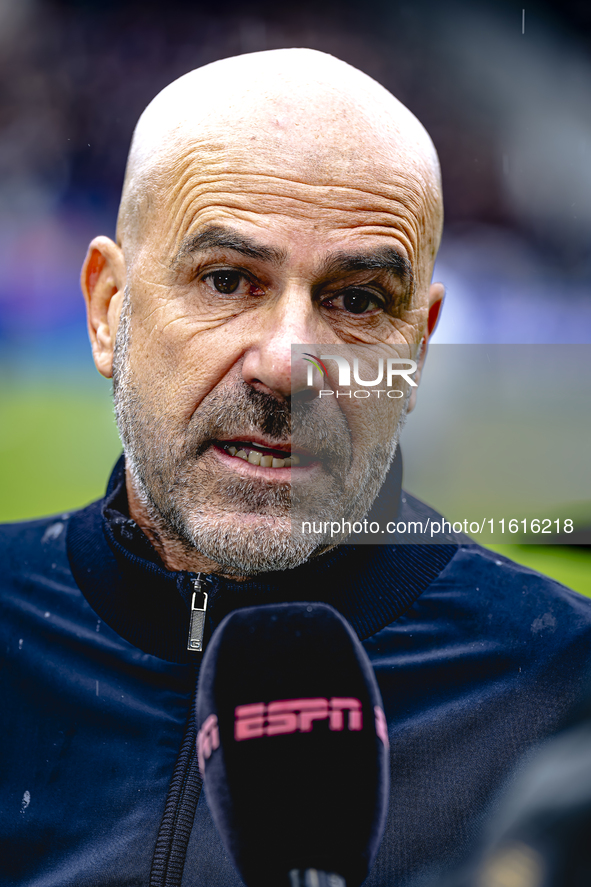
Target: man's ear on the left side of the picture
(103, 285)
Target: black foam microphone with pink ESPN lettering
(293, 746)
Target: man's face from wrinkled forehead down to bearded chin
(242, 257)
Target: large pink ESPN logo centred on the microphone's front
(295, 716)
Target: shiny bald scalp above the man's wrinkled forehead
(294, 113)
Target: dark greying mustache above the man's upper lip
(300, 420)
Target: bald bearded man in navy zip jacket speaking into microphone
(272, 200)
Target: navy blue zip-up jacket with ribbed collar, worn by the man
(476, 657)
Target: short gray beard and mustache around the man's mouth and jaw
(204, 517)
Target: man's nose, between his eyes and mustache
(292, 320)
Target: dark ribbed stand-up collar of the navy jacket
(125, 582)
